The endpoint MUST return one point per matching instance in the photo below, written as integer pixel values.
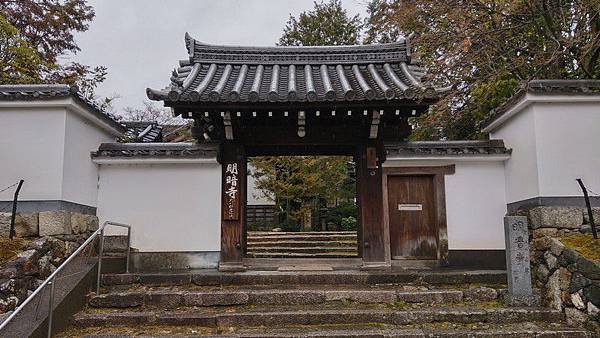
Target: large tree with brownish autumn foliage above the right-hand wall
(486, 48)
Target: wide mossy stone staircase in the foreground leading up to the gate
(311, 304)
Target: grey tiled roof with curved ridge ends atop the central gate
(281, 74)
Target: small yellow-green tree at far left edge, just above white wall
(19, 62)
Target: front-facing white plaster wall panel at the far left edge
(32, 148)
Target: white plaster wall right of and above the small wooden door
(475, 202)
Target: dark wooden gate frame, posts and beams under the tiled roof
(360, 135)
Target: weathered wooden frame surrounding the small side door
(439, 190)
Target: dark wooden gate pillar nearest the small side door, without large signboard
(369, 193)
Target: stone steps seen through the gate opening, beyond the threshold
(325, 244)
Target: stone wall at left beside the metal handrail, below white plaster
(52, 236)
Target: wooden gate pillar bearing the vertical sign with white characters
(233, 206)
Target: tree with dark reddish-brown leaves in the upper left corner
(48, 27)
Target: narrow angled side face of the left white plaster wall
(80, 175)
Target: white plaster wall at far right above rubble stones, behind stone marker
(553, 143)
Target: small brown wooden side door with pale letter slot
(412, 217)
